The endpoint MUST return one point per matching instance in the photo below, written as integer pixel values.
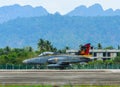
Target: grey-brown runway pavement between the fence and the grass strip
(93, 77)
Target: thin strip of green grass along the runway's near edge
(3, 85)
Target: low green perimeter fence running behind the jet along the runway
(74, 66)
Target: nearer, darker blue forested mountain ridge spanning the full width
(61, 31)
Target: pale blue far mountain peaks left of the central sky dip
(15, 11)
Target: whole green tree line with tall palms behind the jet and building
(10, 55)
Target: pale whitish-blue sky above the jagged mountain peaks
(62, 6)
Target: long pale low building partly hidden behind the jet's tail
(99, 54)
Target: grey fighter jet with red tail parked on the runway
(61, 60)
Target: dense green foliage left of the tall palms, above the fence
(15, 55)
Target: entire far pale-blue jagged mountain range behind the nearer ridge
(16, 11)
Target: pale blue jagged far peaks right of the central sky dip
(94, 10)
